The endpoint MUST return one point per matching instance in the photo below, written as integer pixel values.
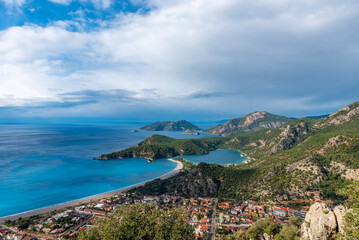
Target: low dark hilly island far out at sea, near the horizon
(181, 125)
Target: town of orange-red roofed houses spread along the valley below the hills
(212, 218)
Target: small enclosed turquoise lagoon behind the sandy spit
(219, 156)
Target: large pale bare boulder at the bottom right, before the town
(320, 223)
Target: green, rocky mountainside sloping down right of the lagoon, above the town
(301, 155)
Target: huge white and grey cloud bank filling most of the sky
(270, 50)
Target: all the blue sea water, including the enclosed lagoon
(47, 164)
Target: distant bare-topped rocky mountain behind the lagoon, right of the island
(249, 123)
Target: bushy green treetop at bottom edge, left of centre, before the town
(140, 221)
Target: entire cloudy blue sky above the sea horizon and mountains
(200, 60)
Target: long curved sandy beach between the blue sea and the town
(96, 197)
